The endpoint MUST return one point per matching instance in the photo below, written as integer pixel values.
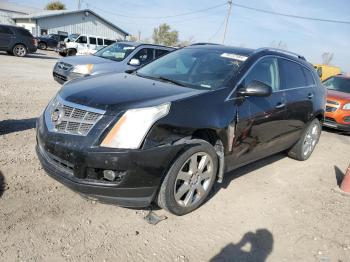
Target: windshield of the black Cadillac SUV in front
(192, 67)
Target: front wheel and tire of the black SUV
(190, 179)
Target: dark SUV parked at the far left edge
(16, 40)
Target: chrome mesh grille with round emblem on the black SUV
(71, 118)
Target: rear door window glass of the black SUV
(293, 75)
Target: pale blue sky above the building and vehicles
(246, 28)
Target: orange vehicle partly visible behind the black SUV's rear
(338, 102)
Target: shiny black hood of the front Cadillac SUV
(118, 92)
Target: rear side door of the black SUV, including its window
(298, 85)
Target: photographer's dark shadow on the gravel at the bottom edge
(252, 247)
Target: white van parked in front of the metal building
(76, 44)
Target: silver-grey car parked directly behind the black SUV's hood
(118, 57)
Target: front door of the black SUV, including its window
(260, 121)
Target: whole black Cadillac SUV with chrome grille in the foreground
(168, 131)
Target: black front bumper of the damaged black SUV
(80, 168)
